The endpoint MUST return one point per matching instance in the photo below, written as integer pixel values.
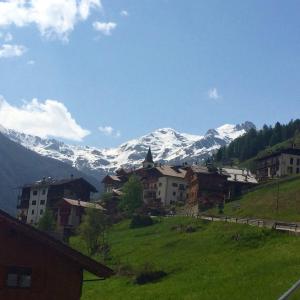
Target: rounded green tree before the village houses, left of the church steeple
(132, 198)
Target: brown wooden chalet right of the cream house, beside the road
(207, 187)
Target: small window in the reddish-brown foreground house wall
(17, 277)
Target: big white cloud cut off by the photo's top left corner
(54, 18)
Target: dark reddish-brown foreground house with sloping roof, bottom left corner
(35, 266)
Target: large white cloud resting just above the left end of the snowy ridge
(45, 119)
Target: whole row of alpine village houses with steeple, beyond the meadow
(191, 188)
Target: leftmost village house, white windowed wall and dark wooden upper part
(47, 193)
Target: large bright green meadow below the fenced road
(218, 261)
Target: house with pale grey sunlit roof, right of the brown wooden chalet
(239, 181)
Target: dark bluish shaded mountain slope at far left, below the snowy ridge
(19, 165)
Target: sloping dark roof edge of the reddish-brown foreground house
(83, 261)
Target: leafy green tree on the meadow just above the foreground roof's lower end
(93, 231)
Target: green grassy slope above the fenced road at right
(262, 202)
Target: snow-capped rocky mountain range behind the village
(167, 145)
